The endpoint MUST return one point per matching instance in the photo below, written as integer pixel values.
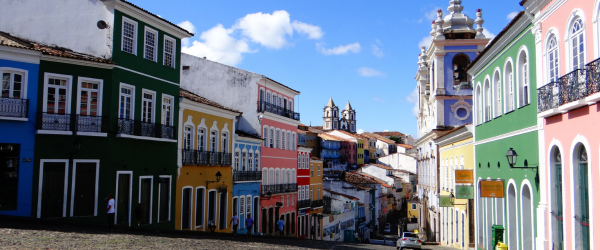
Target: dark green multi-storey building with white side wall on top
(107, 112)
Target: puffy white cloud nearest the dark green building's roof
(219, 45)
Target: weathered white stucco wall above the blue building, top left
(65, 23)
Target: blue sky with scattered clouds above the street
(362, 51)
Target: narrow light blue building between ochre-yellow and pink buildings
(247, 179)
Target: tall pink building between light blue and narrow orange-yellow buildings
(279, 158)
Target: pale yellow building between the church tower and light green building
(457, 222)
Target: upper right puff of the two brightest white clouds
(269, 30)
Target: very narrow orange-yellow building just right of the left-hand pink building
(316, 204)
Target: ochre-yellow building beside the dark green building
(204, 181)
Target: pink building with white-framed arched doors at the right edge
(567, 38)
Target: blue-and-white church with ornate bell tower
(444, 99)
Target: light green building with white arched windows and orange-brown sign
(506, 118)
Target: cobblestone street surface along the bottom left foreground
(43, 236)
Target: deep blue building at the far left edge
(19, 69)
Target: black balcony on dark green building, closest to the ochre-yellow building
(132, 128)
